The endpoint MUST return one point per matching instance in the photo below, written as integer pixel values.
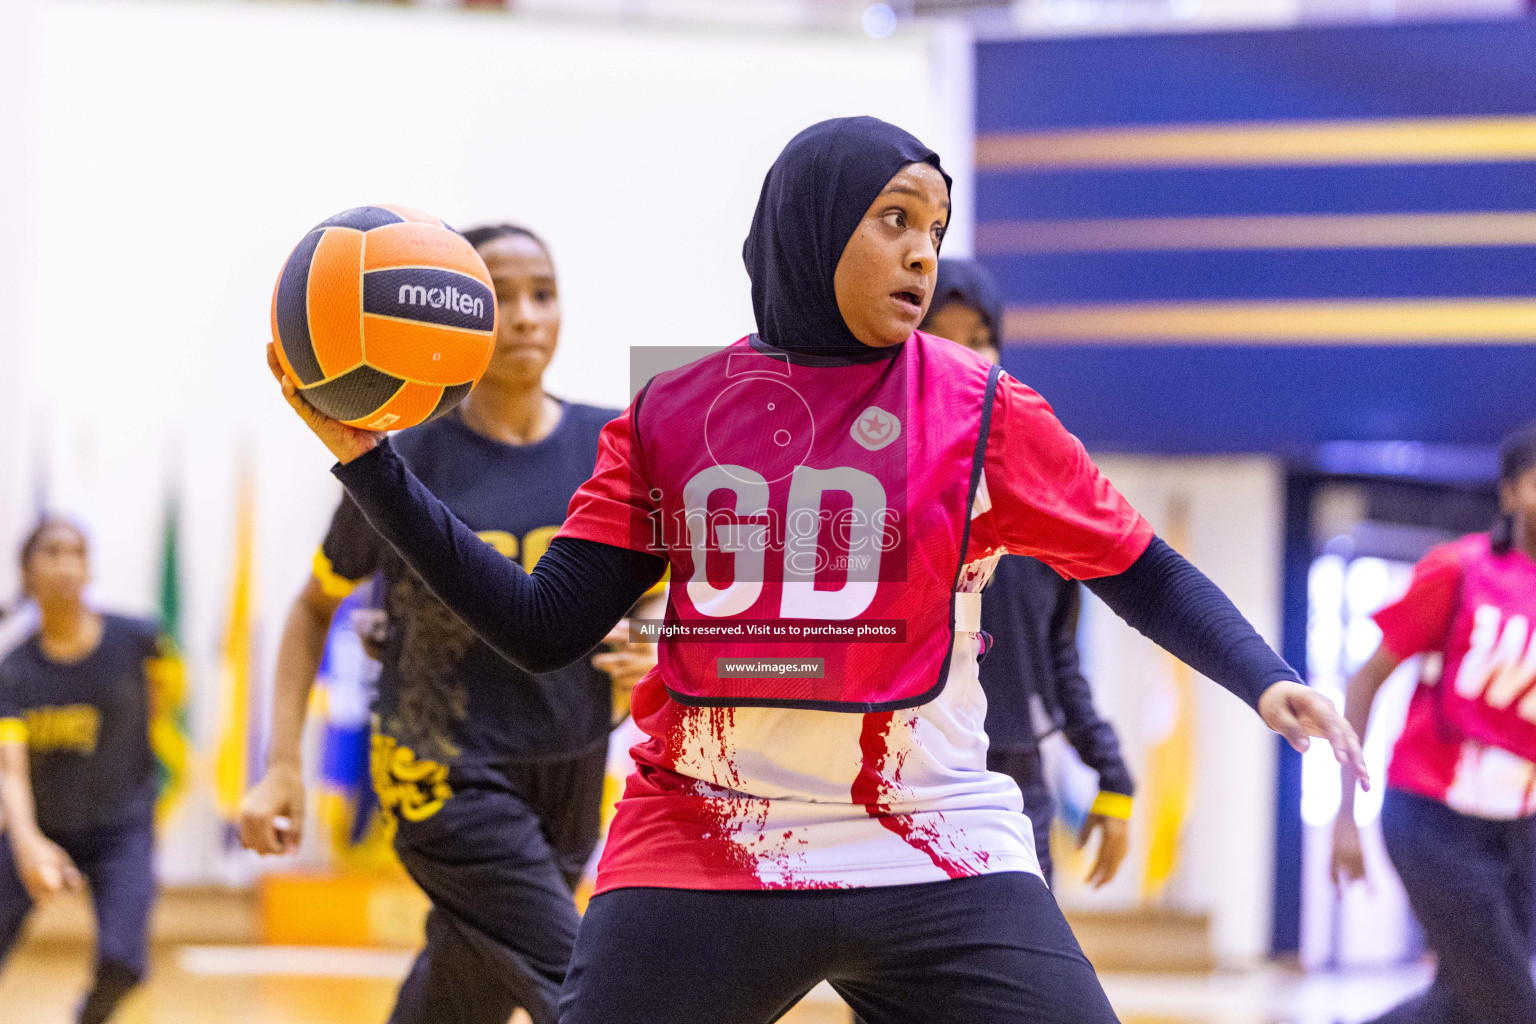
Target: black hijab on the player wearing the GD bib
(813, 199)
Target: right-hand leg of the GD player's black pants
(995, 950)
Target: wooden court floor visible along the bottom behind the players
(227, 985)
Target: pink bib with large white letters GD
(815, 512)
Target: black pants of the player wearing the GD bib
(991, 950)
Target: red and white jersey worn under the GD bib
(764, 798)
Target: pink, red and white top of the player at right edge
(1468, 736)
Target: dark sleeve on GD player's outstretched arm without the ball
(1179, 609)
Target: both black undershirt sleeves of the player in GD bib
(581, 589)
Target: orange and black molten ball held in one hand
(385, 317)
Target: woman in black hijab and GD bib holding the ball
(836, 824)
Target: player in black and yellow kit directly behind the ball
(494, 778)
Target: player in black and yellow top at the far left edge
(78, 773)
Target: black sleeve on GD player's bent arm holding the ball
(541, 621)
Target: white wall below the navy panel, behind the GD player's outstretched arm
(1233, 529)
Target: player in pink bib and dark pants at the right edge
(1462, 788)
